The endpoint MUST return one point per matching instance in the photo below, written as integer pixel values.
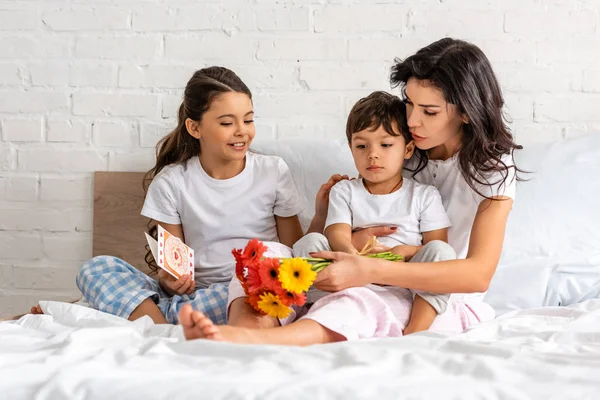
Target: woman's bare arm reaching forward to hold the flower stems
(473, 274)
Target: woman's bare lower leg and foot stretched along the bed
(302, 333)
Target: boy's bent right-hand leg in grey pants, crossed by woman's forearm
(422, 315)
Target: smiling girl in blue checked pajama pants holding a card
(208, 190)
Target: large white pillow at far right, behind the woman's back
(551, 252)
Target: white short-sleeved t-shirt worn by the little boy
(414, 208)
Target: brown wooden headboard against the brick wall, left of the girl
(118, 226)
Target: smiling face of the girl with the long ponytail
(227, 127)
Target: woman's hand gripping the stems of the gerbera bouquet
(347, 270)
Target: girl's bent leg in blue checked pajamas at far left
(111, 285)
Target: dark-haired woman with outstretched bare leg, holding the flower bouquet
(454, 110)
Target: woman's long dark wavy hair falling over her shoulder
(466, 78)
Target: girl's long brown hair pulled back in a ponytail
(179, 146)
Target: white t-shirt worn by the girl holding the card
(218, 215)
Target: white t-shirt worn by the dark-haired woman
(460, 201)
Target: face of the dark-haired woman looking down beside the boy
(432, 121)
